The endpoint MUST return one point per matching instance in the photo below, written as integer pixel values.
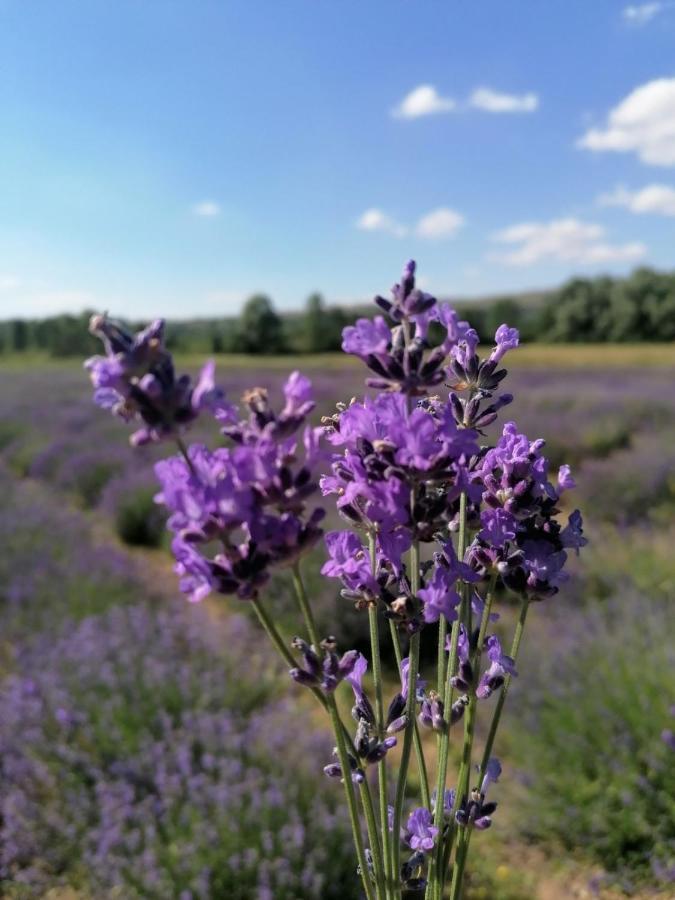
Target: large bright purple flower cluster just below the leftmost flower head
(249, 498)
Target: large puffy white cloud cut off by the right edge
(643, 123)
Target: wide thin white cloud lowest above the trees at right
(562, 240)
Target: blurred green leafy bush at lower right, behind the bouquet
(599, 772)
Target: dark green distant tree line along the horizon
(638, 308)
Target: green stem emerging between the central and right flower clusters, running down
(436, 867)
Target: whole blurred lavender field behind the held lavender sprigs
(138, 758)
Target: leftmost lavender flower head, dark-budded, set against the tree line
(136, 380)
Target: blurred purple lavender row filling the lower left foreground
(136, 759)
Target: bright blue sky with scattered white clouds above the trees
(173, 156)
